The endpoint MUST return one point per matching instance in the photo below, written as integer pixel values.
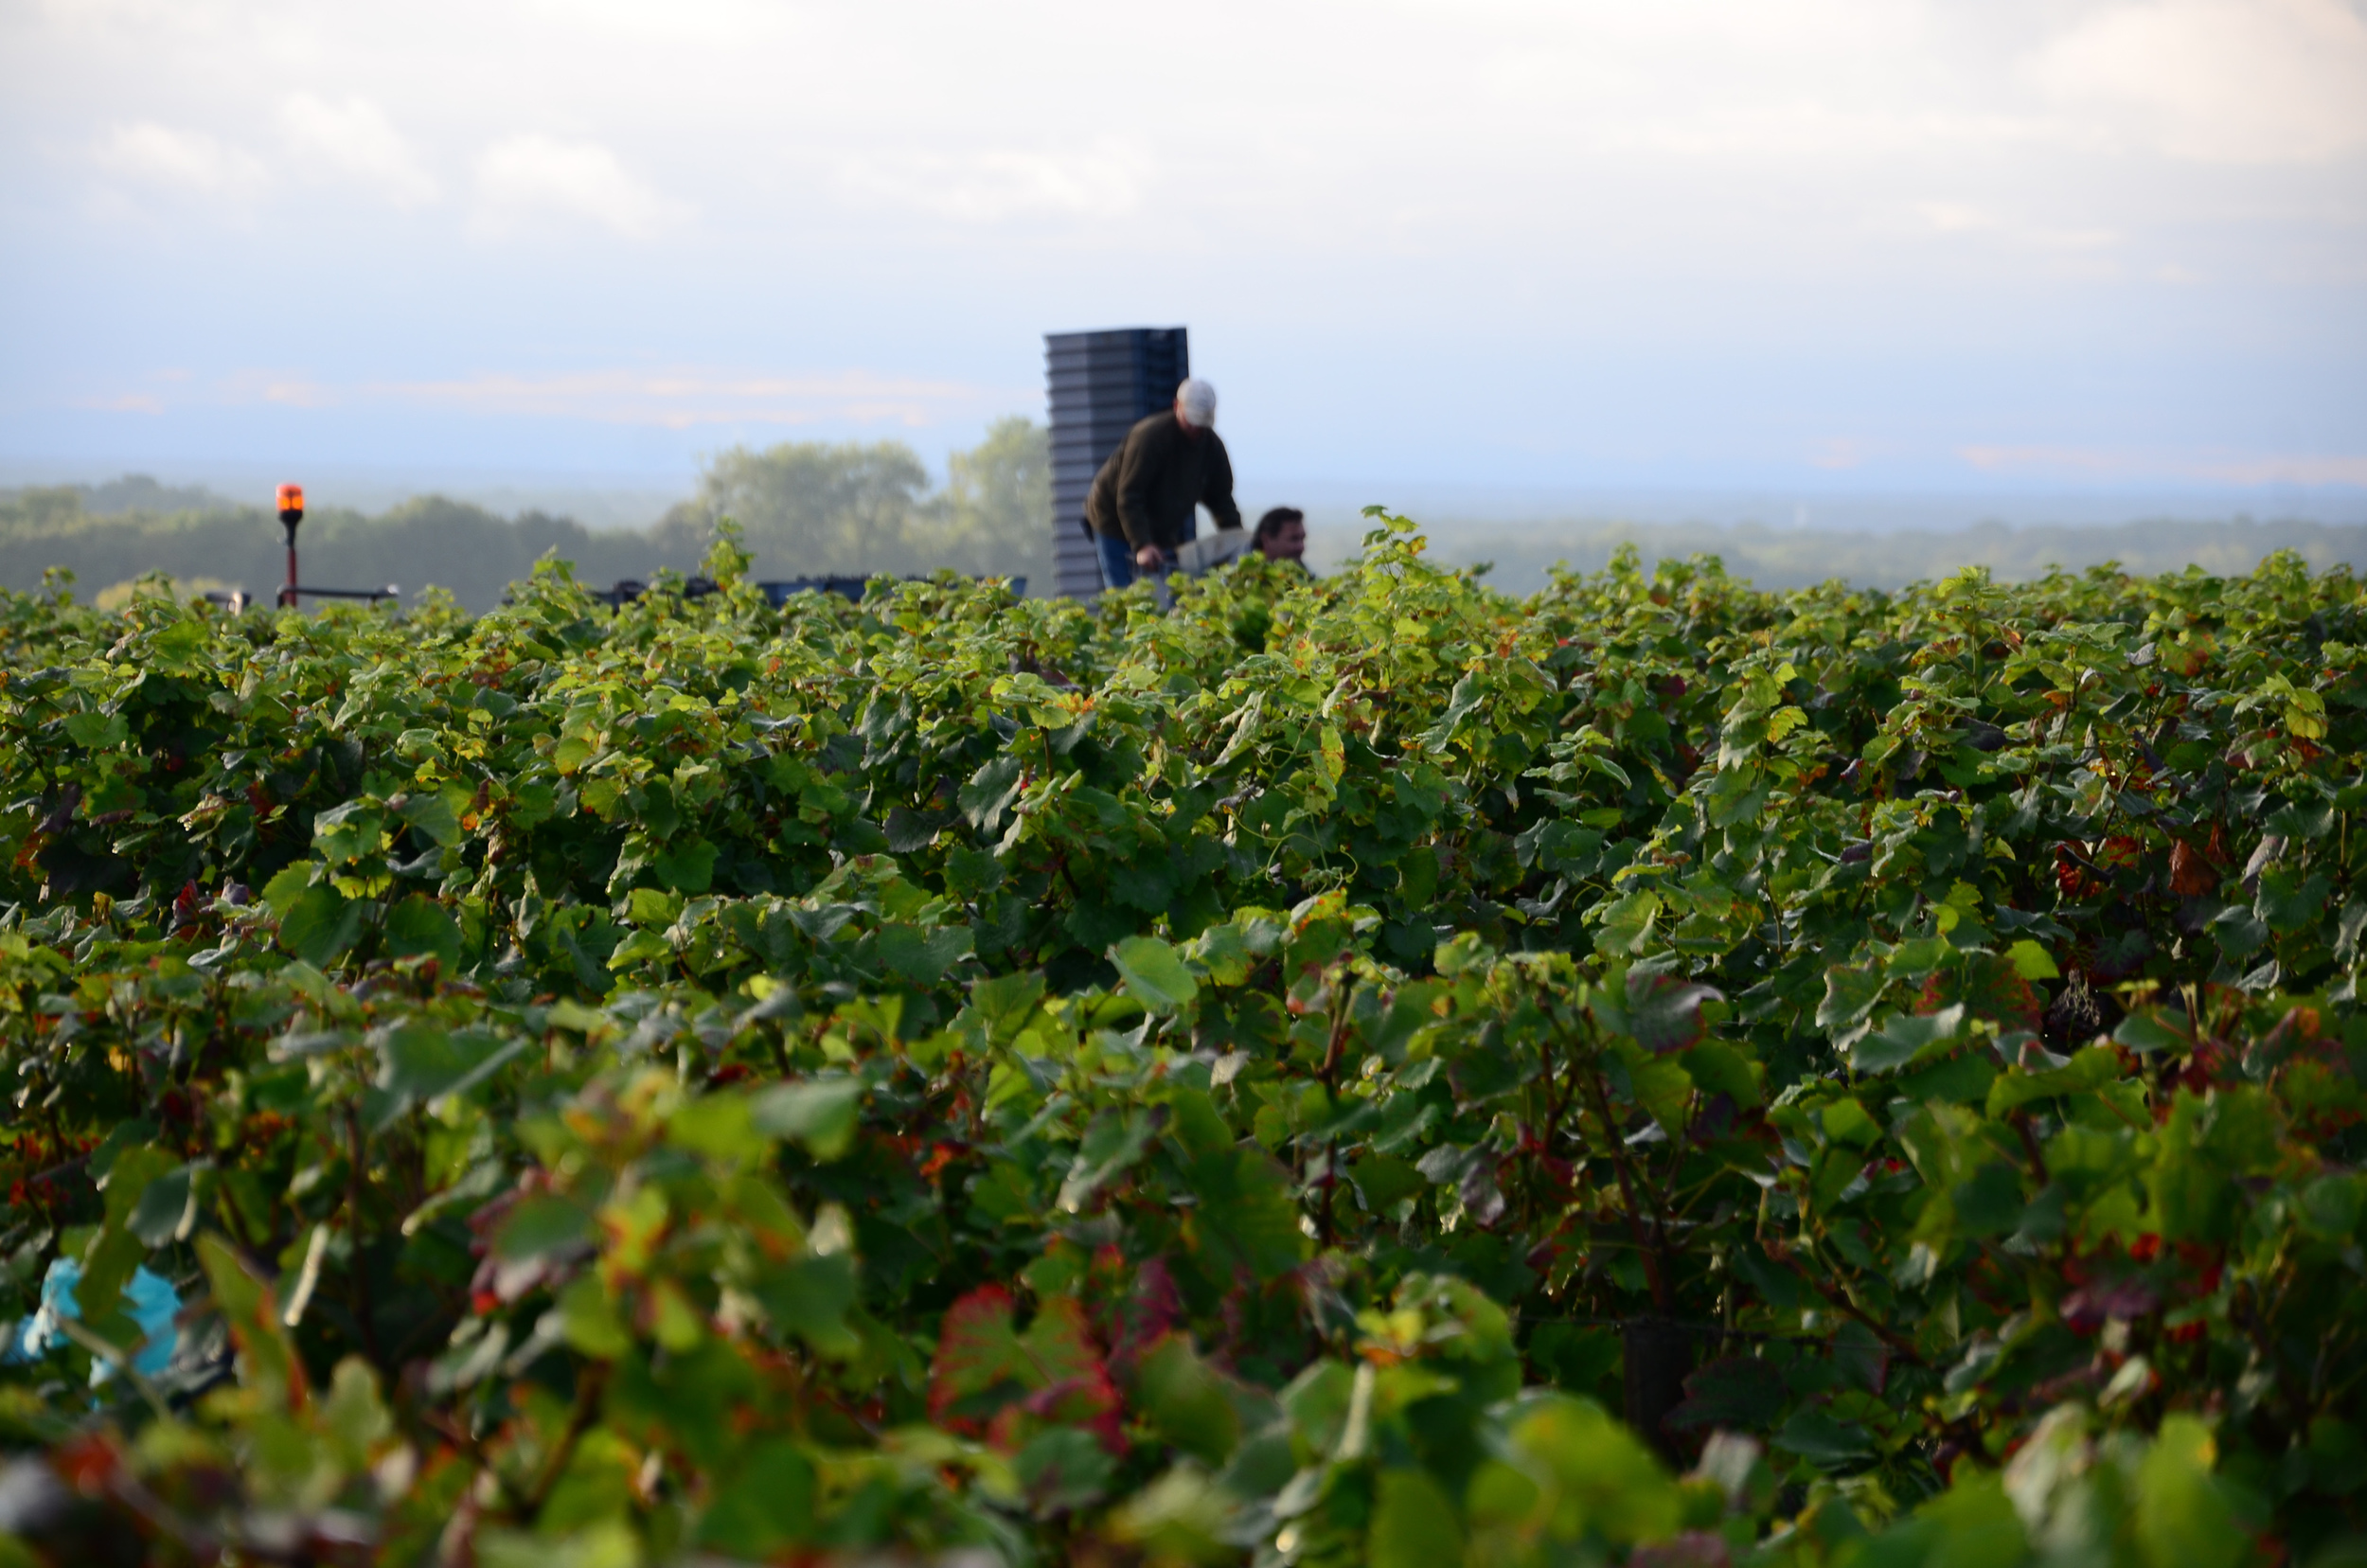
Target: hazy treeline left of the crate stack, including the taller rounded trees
(804, 508)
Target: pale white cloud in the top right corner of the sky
(2226, 82)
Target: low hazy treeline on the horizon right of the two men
(1779, 558)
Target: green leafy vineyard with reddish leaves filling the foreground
(1341, 1072)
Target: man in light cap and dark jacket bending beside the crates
(1147, 494)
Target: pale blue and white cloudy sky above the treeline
(1689, 243)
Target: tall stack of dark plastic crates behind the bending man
(1102, 383)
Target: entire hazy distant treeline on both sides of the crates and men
(870, 508)
